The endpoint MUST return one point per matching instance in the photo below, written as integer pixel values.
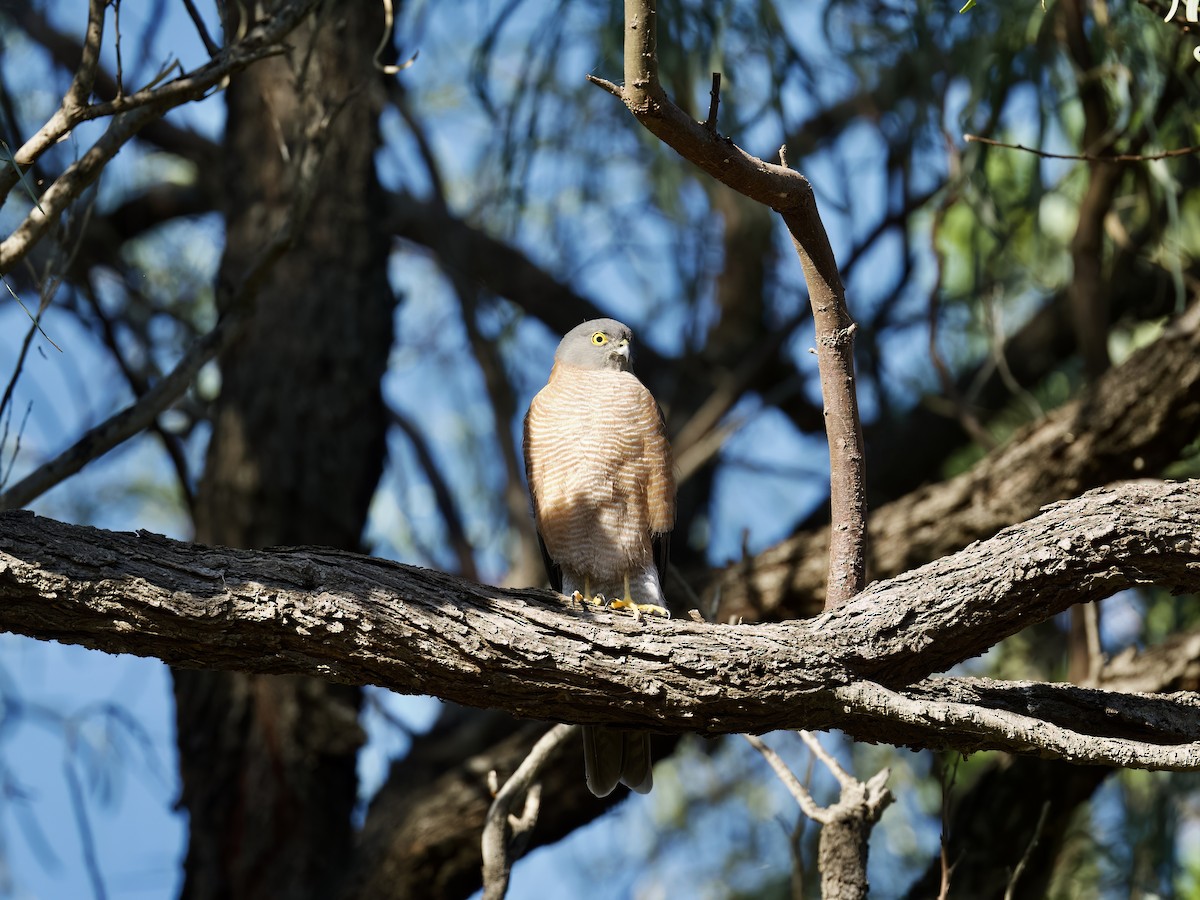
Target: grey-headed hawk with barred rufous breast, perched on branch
(603, 485)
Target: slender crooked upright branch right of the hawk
(789, 194)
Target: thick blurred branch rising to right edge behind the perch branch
(1137, 418)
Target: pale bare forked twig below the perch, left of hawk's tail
(506, 835)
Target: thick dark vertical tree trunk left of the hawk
(269, 764)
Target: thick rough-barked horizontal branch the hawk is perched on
(363, 621)
